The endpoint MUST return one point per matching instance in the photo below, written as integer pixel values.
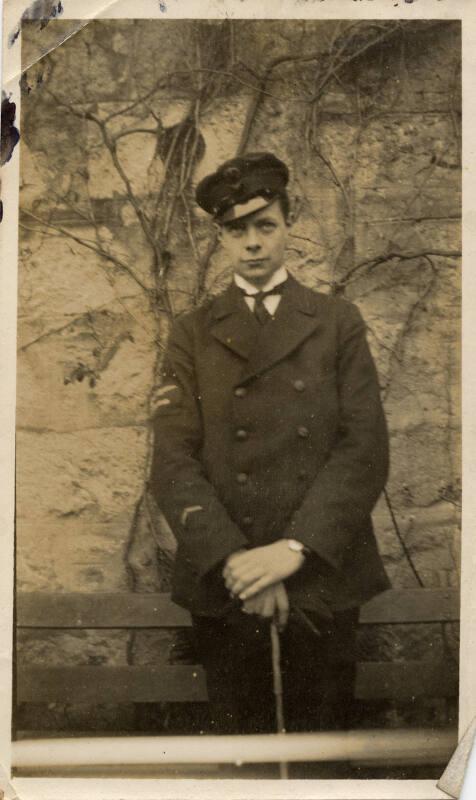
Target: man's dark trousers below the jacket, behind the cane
(318, 672)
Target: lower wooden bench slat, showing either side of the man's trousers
(401, 681)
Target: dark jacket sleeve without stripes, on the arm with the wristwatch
(337, 505)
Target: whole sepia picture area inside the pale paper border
(238, 399)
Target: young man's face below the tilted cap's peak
(256, 243)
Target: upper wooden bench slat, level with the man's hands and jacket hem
(131, 610)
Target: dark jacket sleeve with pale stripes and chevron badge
(203, 529)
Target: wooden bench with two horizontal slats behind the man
(402, 681)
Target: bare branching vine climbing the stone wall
(215, 68)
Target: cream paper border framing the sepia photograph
(142, 789)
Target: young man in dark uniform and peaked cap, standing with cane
(270, 453)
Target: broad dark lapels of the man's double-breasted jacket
(262, 347)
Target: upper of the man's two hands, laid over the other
(248, 572)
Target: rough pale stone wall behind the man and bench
(370, 127)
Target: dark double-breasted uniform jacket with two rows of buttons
(271, 432)
